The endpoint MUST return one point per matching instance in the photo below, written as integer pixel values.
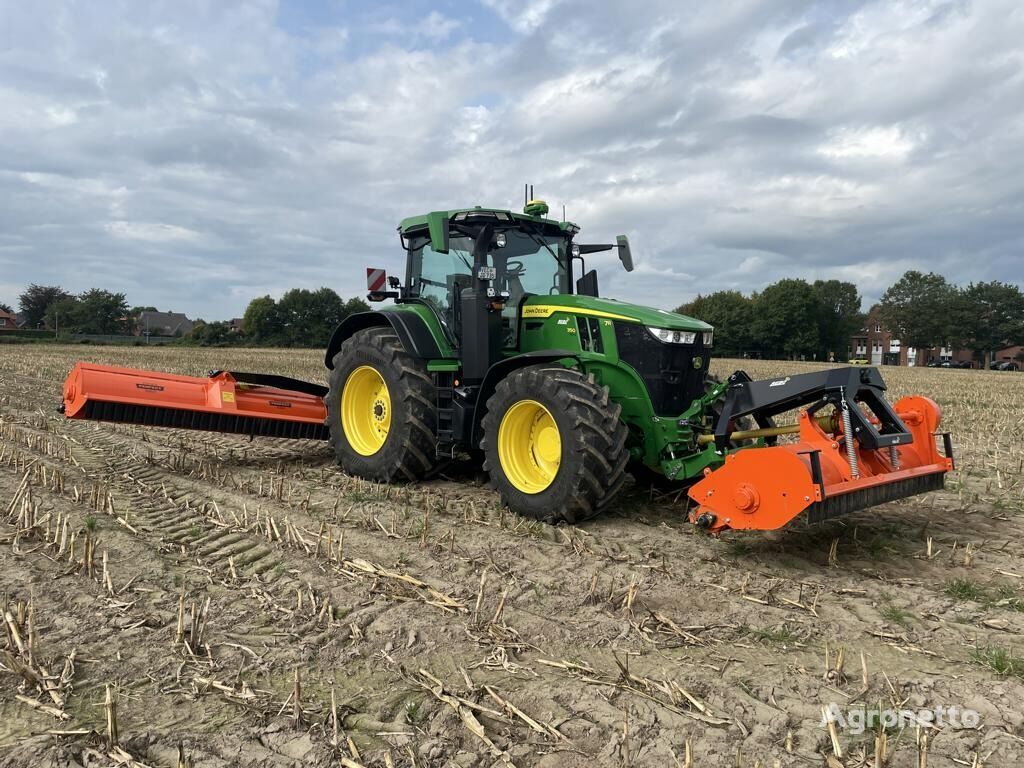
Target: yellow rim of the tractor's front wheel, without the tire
(530, 447)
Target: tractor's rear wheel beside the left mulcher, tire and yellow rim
(381, 410)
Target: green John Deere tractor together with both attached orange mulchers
(497, 345)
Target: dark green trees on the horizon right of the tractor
(797, 319)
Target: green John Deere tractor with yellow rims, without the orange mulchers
(492, 348)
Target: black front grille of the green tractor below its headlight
(667, 370)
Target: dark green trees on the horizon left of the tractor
(301, 318)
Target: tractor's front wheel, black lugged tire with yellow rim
(553, 444)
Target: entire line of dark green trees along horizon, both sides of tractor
(788, 319)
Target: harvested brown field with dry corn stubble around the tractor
(247, 604)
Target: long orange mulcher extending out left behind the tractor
(259, 405)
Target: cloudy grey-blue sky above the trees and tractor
(197, 154)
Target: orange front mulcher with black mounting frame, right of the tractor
(864, 454)
